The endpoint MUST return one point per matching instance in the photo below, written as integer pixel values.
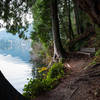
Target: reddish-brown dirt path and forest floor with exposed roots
(82, 83)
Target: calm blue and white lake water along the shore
(14, 59)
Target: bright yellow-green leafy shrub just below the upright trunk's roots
(53, 76)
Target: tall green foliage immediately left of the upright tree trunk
(42, 22)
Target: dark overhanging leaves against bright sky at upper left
(13, 13)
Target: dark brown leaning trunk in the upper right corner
(92, 7)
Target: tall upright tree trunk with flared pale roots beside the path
(58, 48)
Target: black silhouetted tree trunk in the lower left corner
(7, 91)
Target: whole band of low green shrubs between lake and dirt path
(39, 85)
